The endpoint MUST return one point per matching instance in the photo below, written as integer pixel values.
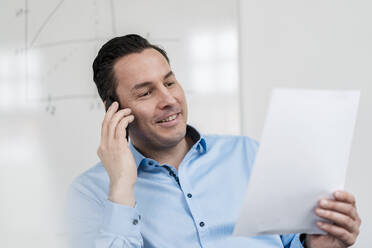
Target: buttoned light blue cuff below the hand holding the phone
(120, 220)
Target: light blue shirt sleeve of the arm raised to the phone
(92, 223)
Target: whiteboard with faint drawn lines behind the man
(50, 112)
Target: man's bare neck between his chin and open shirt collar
(170, 155)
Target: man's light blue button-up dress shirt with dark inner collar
(196, 206)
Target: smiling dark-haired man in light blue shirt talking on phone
(170, 186)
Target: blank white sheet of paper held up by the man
(302, 158)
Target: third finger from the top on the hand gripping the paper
(339, 219)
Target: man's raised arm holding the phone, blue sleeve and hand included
(113, 222)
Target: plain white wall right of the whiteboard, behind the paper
(322, 44)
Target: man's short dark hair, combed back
(109, 54)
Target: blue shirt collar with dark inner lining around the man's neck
(200, 145)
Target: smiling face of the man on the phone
(146, 84)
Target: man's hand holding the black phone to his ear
(116, 156)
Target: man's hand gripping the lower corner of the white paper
(345, 222)
